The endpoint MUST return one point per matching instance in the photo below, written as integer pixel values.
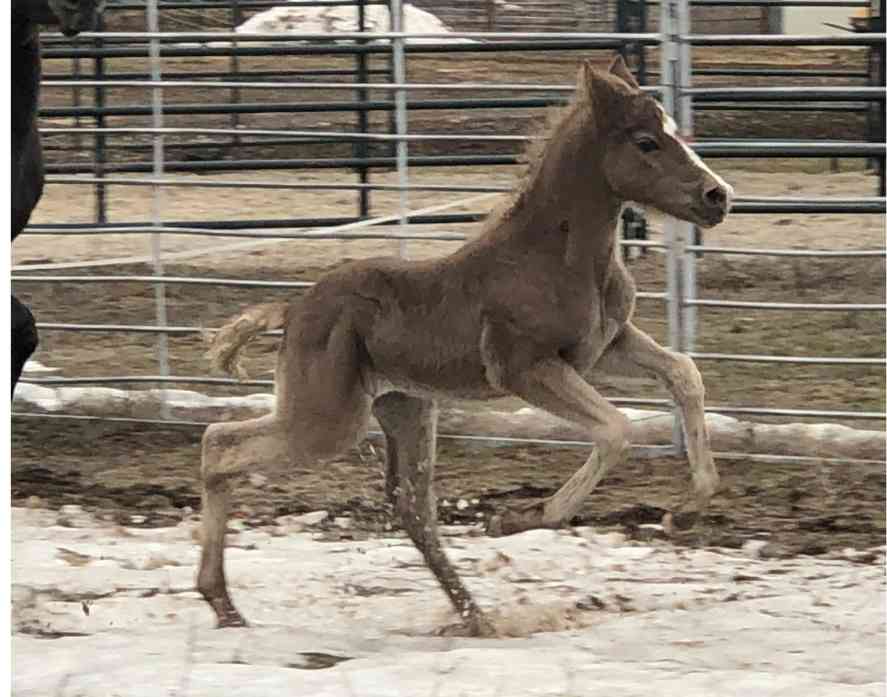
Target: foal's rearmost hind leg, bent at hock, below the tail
(230, 449)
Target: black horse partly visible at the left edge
(73, 16)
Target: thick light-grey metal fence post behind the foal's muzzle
(669, 76)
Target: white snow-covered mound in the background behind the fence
(316, 20)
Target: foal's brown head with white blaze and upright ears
(644, 157)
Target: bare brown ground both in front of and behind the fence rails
(123, 469)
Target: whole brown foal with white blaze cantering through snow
(525, 309)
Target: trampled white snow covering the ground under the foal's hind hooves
(584, 614)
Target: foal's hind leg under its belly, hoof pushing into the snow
(409, 424)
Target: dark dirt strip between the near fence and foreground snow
(123, 470)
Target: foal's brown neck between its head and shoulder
(567, 204)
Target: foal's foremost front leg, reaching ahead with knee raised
(635, 354)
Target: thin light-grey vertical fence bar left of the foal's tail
(157, 191)
